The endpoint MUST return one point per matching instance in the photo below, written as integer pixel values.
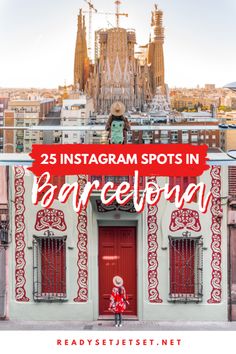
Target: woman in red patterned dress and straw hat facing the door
(118, 300)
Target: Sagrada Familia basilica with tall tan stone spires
(119, 72)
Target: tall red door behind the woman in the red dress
(117, 256)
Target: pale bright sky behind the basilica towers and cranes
(37, 39)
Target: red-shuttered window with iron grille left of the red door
(49, 262)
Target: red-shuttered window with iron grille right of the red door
(186, 255)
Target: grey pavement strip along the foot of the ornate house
(109, 326)
